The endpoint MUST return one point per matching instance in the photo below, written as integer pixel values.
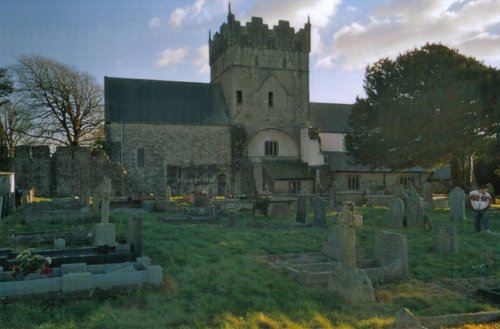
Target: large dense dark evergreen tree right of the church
(428, 107)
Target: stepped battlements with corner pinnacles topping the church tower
(257, 34)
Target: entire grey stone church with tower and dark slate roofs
(252, 129)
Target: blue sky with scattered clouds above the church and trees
(168, 39)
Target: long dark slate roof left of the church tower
(155, 101)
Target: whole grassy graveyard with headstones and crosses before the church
(224, 263)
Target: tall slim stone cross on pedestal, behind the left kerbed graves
(105, 233)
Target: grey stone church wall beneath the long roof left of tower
(189, 155)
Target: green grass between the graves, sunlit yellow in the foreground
(212, 279)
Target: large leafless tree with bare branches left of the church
(65, 105)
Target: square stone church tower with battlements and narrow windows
(264, 76)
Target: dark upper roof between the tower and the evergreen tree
(328, 117)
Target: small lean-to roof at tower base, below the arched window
(288, 169)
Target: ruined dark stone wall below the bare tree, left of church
(70, 171)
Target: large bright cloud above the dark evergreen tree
(467, 25)
